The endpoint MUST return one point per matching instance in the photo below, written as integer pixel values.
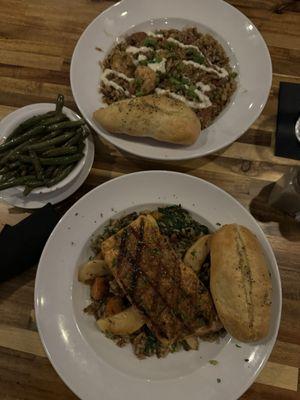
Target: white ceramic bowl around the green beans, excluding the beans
(11, 121)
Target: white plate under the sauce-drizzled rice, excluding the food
(241, 40)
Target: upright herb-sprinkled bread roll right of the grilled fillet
(240, 283)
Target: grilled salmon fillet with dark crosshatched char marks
(169, 294)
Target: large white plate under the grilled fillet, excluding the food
(92, 365)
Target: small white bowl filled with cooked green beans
(43, 148)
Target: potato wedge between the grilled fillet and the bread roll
(197, 253)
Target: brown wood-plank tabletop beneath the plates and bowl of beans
(36, 45)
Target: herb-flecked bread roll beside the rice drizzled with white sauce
(159, 117)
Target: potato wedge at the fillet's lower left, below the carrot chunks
(123, 323)
